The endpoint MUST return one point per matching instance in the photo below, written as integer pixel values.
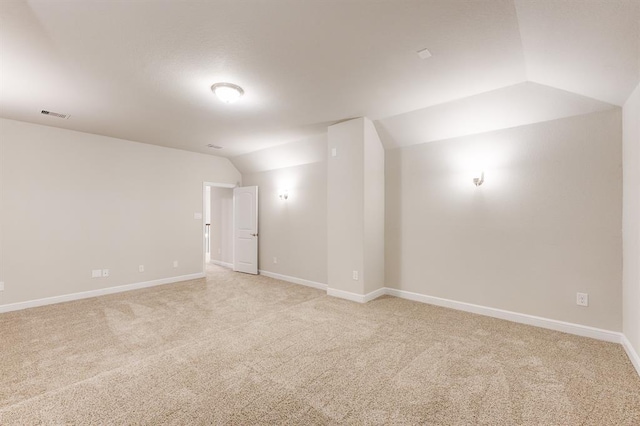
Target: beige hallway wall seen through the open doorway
(221, 203)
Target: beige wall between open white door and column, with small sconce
(294, 230)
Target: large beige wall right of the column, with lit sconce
(545, 225)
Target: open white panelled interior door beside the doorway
(245, 229)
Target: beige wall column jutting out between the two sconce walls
(355, 214)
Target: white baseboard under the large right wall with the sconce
(566, 327)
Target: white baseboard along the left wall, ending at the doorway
(93, 293)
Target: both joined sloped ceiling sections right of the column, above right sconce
(581, 57)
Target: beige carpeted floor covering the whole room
(241, 349)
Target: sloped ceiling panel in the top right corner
(586, 47)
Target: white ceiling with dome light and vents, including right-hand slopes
(142, 70)
